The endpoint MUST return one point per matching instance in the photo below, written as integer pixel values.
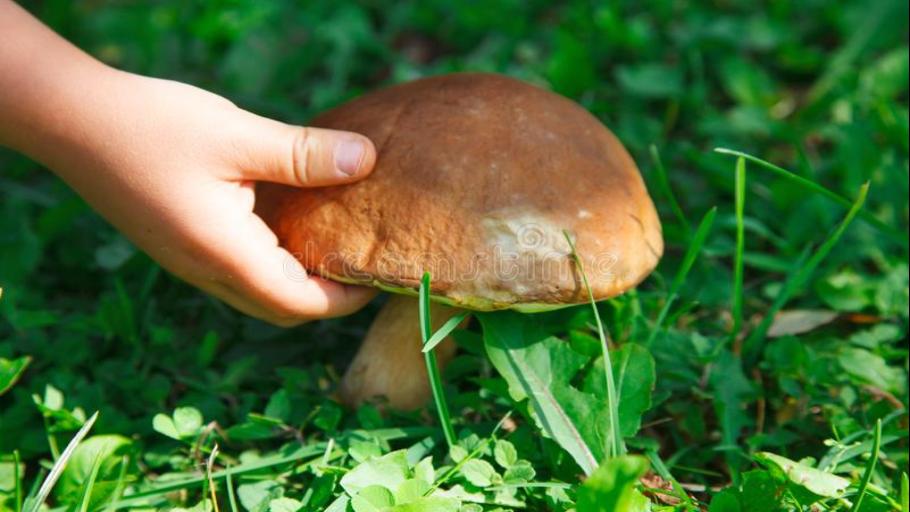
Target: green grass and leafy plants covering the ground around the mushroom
(776, 323)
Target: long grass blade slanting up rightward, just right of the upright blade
(800, 275)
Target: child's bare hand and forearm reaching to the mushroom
(174, 168)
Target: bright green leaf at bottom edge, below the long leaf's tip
(611, 488)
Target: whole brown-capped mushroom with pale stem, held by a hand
(479, 179)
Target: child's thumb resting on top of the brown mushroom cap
(302, 156)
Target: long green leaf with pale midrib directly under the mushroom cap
(540, 368)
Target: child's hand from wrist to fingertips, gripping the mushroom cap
(174, 167)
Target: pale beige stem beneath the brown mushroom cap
(390, 362)
